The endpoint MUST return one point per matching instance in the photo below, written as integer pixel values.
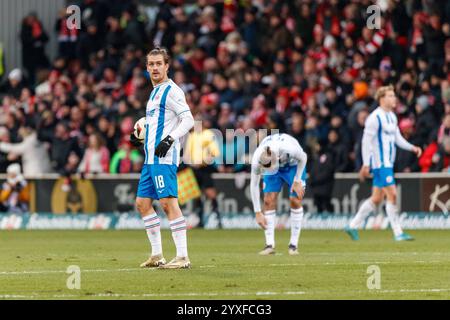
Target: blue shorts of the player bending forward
(274, 182)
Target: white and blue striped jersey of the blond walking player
(380, 139)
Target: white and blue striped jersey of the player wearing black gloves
(164, 107)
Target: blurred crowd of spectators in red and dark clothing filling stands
(308, 68)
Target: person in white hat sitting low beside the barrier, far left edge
(14, 193)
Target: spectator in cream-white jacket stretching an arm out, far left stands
(35, 158)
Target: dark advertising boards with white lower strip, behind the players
(107, 202)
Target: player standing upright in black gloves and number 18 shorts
(168, 118)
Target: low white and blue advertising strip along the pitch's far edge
(130, 221)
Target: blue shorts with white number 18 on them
(158, 181)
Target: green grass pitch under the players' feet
(225, 265)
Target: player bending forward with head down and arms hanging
(279, 159)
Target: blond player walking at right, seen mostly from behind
(380, 139)
